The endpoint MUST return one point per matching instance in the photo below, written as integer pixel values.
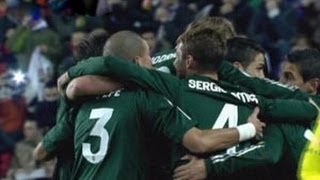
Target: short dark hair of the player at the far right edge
(307, 61)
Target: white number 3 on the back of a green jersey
(103, 115)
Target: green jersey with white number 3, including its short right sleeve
(110, 133)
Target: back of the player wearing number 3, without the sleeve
(109, 139)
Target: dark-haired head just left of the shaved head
(92, 45)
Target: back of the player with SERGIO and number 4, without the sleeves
(211, 103)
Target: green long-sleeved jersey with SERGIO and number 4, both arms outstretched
(214, 104)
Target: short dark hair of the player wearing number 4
(205, 45)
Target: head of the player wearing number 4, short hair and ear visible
(199, 50)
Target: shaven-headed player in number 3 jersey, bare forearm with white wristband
(90, 164)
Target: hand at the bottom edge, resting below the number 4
(194, 170)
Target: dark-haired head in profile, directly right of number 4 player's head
(246, 55)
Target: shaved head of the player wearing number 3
(128, 45)
